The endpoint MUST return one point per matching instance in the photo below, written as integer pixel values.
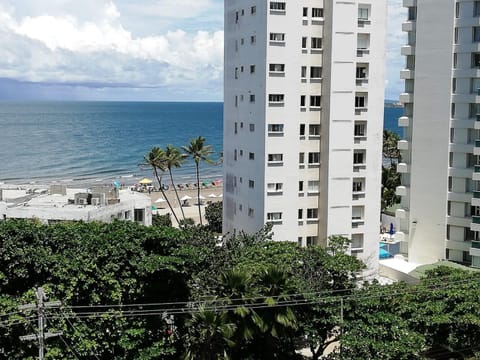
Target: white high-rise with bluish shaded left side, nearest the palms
(303, 119)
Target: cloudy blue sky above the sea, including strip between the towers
(120, 50)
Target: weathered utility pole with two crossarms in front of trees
(40, 307)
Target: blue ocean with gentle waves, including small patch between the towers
(89, 142)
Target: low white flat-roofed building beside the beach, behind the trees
(58, 204)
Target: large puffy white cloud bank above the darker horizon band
(63, 48)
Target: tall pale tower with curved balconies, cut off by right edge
(440, 170)
